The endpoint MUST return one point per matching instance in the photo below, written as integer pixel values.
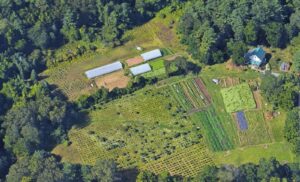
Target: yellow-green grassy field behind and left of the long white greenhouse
(69, 76)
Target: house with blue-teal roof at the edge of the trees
(256, 57)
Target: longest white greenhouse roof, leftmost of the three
(104, 70)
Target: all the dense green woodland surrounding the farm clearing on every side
(34, 117)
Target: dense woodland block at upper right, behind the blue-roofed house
(215, 30)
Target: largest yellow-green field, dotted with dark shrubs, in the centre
(127, 129)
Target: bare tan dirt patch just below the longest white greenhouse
(113, 80)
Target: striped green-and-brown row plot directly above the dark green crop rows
(189, 95)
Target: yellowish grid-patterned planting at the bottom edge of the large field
(187, 162)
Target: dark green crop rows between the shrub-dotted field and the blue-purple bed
(214, 130)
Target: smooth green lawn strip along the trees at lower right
(239, 156)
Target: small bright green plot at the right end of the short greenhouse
(158, 69)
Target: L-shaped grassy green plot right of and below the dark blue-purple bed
(257, 132)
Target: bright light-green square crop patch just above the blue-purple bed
(238, 98)
